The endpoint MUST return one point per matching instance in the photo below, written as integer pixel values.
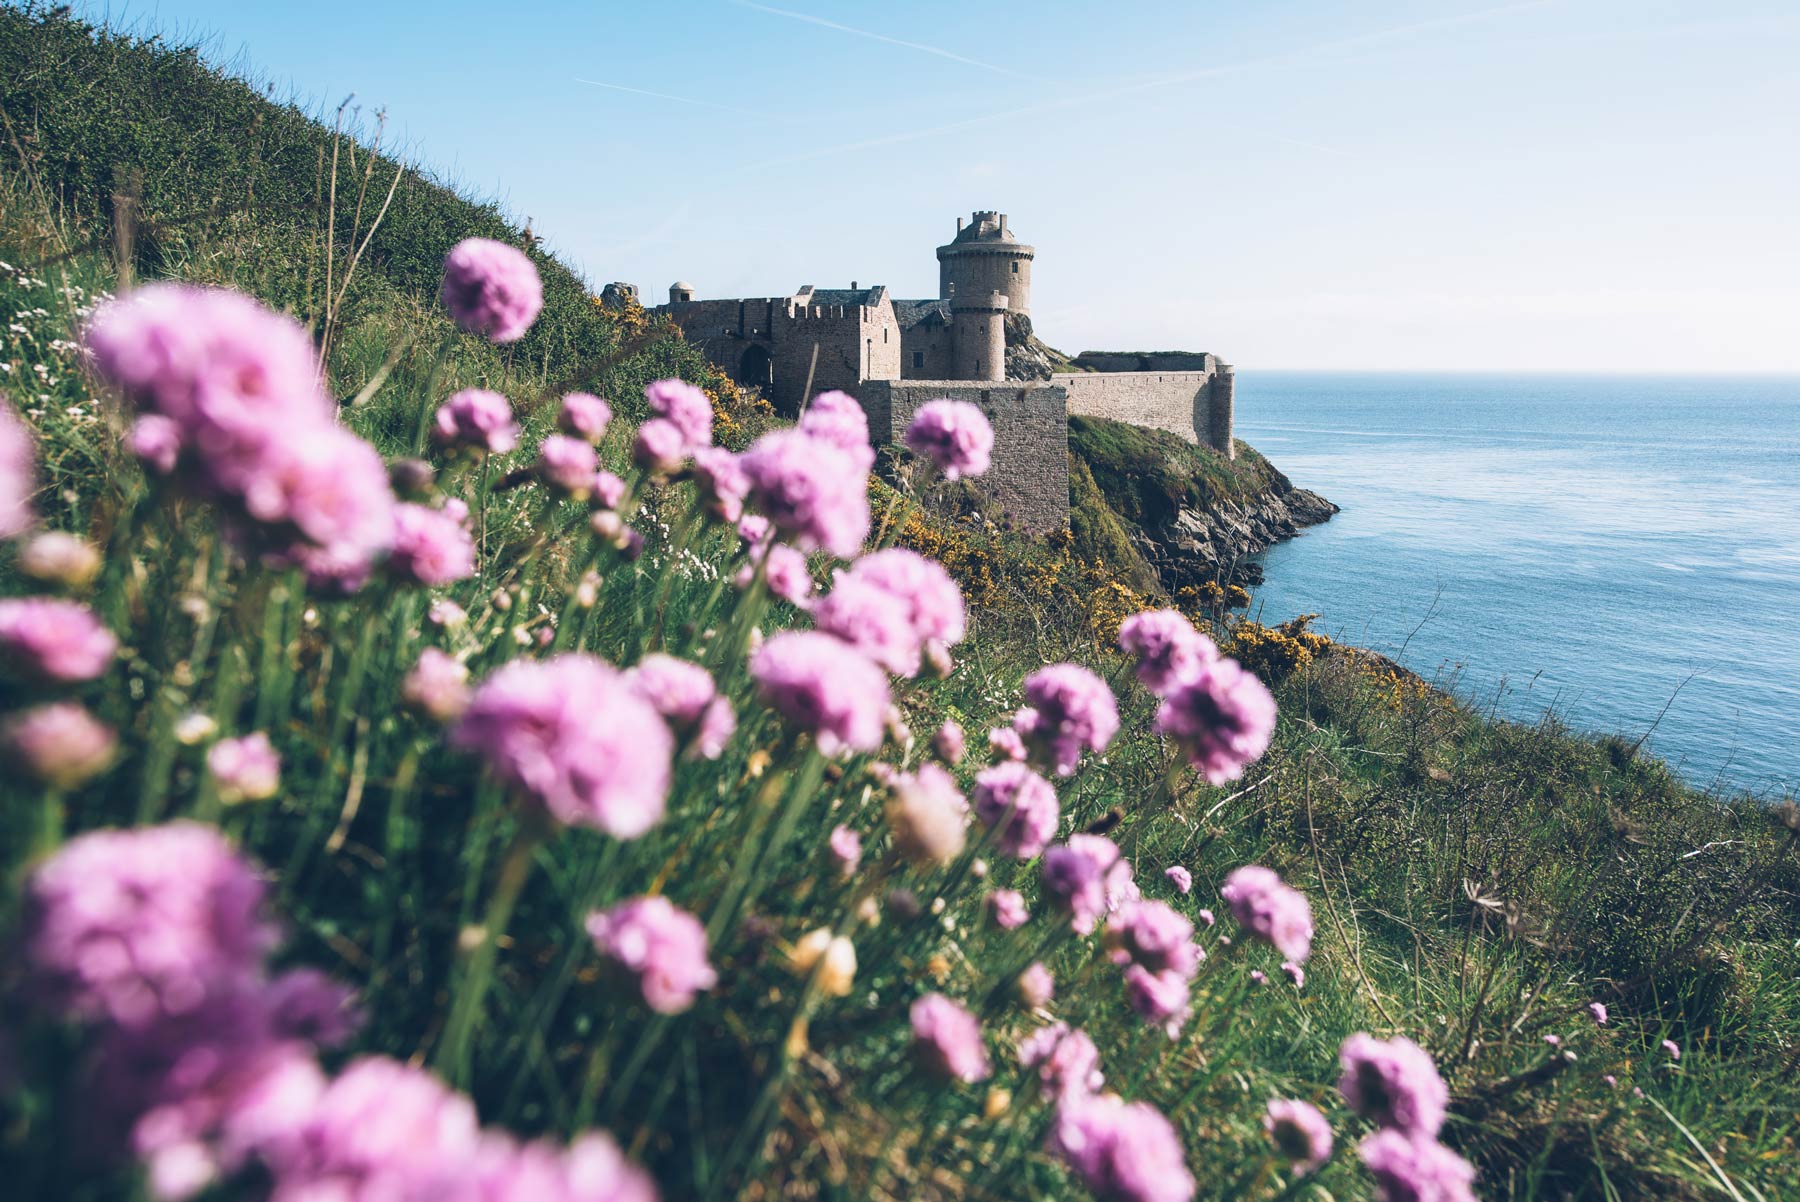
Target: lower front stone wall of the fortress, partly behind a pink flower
(1030, 476)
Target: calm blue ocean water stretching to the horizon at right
(1583, 543)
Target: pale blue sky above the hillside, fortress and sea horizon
(1452, 184)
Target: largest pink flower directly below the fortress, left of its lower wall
(811, 490)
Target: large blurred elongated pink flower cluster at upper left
(233, 390)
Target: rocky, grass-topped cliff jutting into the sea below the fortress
(1189, 514)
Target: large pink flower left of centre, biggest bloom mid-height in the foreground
(577, 739)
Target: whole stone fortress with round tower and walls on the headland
(971, 343)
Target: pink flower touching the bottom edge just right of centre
(1120, 1151)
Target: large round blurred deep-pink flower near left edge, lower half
(141, 924)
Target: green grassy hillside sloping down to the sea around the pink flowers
(1475, 884)
